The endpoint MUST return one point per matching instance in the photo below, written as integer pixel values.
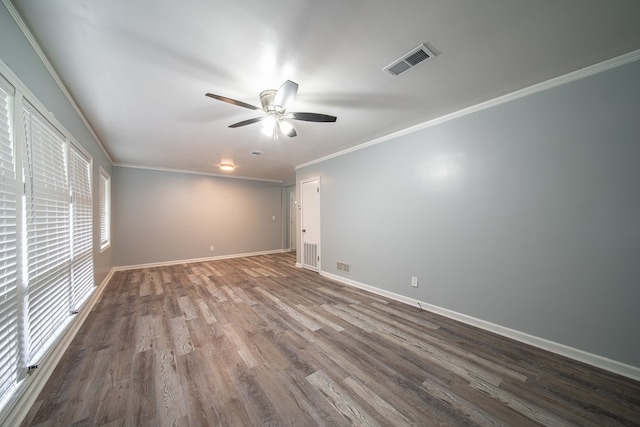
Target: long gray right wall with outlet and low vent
(526, 214)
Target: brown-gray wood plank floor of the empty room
(256, 341)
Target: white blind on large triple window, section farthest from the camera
(81, 227)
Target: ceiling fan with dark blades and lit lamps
(274, 105)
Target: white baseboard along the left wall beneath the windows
(28, 390)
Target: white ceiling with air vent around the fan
(139, 69)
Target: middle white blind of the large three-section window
(48, 243)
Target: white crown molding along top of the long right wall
(576, 75)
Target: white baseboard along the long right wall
(602, 362)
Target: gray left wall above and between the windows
(17, 53)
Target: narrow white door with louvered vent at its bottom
(311, 224)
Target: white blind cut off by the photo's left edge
(8, 248)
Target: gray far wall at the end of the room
(162, 216)
